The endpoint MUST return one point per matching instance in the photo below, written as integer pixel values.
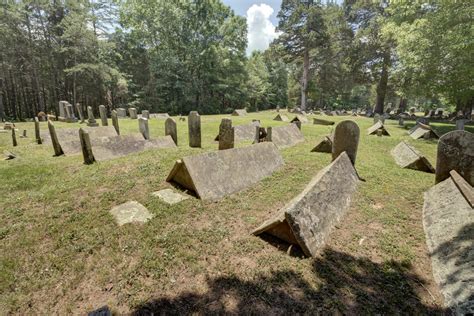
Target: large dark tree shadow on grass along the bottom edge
(348, 285)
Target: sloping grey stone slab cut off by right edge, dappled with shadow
(448, 221)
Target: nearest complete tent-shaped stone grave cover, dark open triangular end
(308, 219)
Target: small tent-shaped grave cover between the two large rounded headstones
(408, 157)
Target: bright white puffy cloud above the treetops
(261, 30)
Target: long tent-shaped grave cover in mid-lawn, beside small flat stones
(214, 175)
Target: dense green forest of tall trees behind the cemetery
(176, 56)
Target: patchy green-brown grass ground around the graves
(62, 252)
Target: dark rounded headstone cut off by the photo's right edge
(456, 152)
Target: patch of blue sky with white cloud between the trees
(261, 21)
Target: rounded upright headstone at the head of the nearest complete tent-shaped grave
(346, 139)
